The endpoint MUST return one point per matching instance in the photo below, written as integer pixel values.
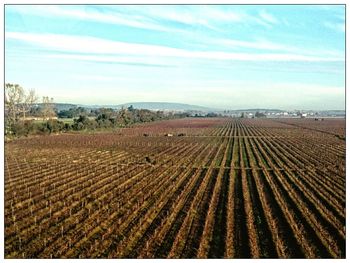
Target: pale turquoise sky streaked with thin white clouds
(219, 56)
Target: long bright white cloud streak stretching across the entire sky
(92, 45)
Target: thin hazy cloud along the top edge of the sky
(153, 17)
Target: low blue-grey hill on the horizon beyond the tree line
(165, 106)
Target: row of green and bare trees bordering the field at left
(25, 116)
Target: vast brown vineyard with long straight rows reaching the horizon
(188, 188)
